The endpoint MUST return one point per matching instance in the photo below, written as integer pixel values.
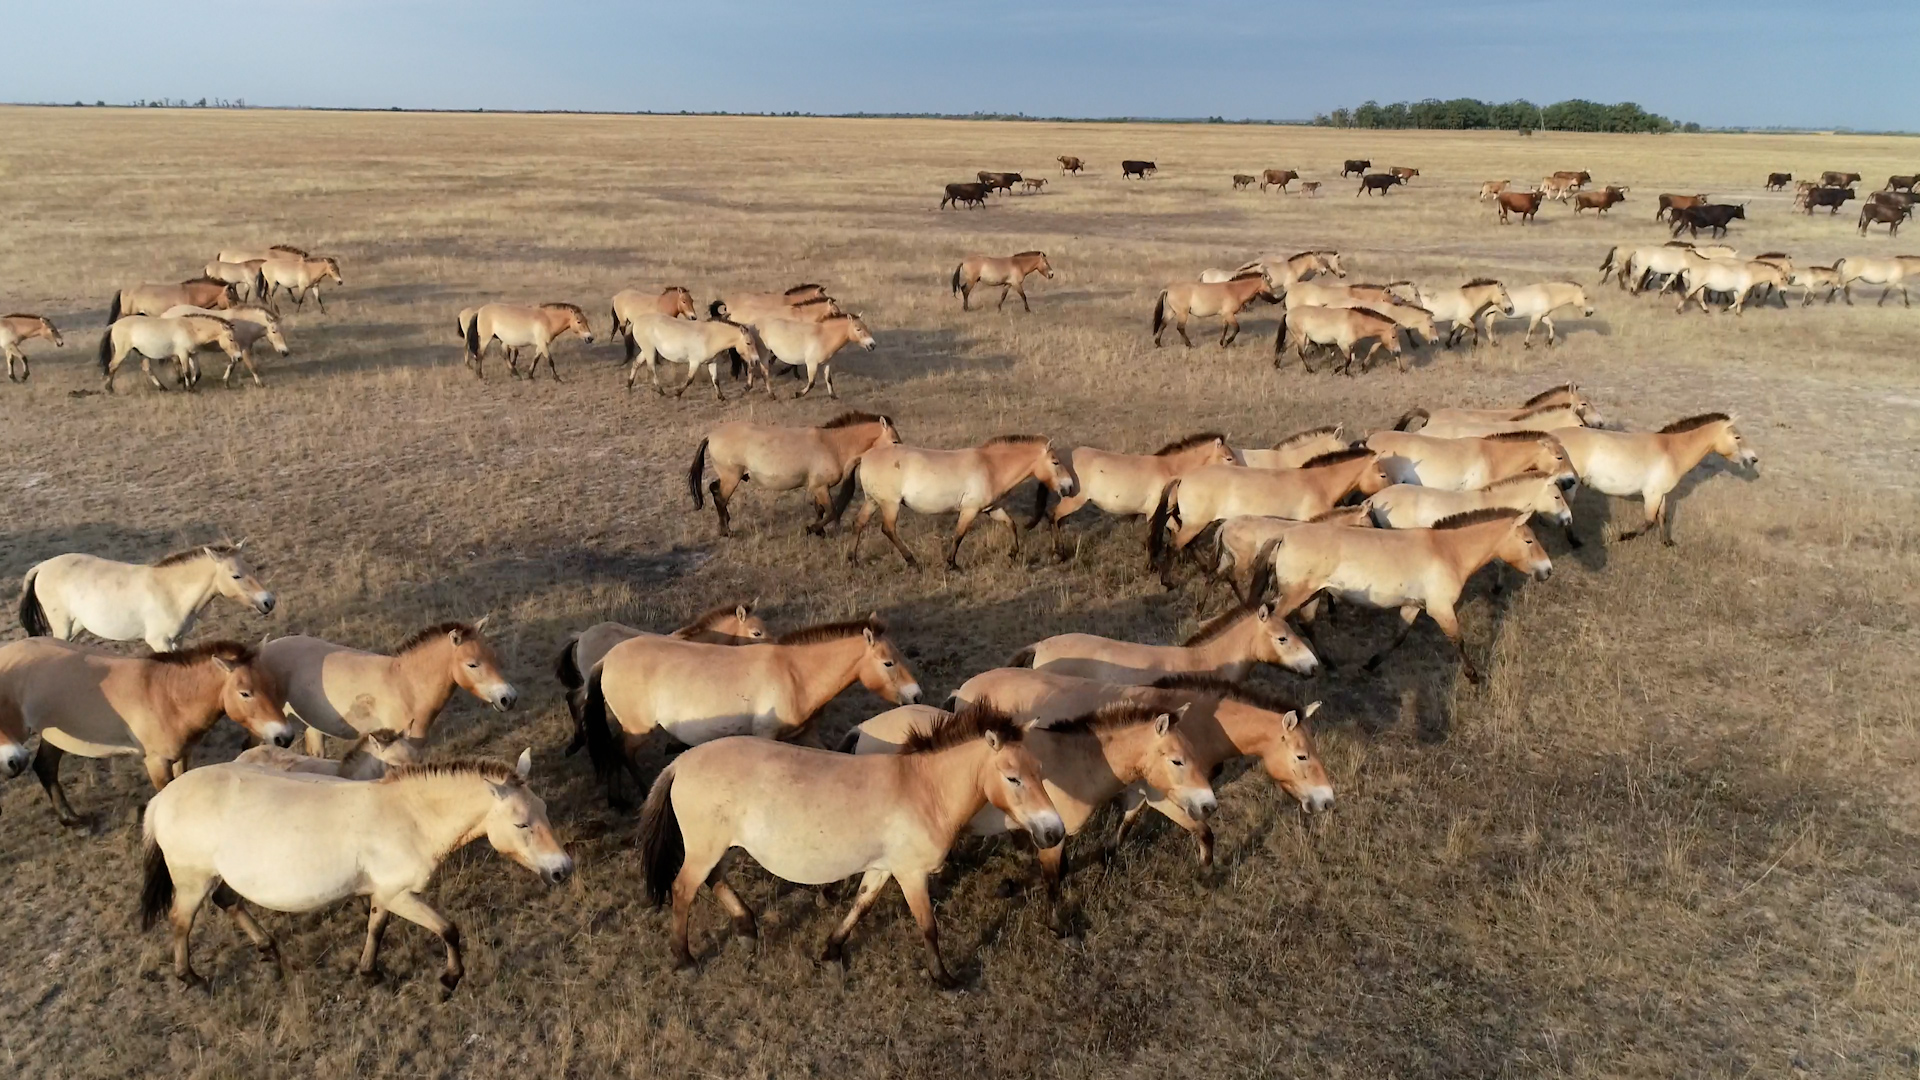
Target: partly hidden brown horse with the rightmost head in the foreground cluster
(1224, 722)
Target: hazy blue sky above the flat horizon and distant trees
(1756, 62)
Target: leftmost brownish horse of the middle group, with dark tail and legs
(786, 458)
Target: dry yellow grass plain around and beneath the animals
(1671, 835)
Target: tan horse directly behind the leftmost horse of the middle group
(971, 481)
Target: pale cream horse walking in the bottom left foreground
(220, 835)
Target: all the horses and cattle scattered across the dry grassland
(1397, 520)
